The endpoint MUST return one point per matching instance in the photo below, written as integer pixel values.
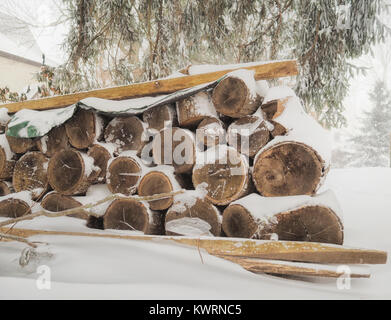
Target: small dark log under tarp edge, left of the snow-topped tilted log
(158, 118)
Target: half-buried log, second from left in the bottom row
(56, 202)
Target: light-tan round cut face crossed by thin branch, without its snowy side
(153, 183)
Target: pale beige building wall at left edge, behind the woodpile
(16, 75)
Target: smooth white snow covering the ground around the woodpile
(82, 268)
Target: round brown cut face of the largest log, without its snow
(272, 179)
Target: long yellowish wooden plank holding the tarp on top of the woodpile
(161, 86)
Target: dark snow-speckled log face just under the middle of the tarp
(127, 133)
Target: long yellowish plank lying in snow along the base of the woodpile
(311, 252)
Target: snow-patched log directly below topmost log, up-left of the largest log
(249, 134)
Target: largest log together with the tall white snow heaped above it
(297, 162)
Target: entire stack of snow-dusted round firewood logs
(248, 159)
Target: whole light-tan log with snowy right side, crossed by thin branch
(159, 181)
